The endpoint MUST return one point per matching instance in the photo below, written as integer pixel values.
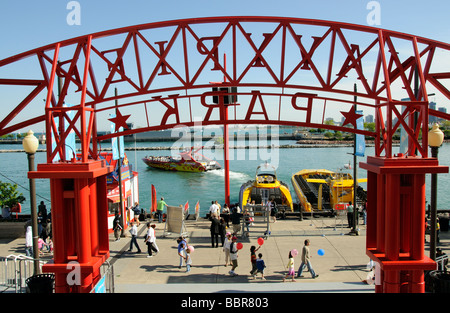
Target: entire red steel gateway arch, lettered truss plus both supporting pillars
(287, 71)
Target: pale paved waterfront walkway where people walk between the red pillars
(341, 268)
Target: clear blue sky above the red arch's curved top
(25, 25)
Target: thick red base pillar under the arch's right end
(395, 220)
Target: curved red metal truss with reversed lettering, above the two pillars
(189, 53)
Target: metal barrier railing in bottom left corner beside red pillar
(14, 270)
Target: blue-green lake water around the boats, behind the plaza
(179, 187)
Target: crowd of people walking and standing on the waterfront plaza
(226, 223)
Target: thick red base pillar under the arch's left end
(79, 221)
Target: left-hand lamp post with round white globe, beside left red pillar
(30, 144)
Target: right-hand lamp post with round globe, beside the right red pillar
(435, 140)
